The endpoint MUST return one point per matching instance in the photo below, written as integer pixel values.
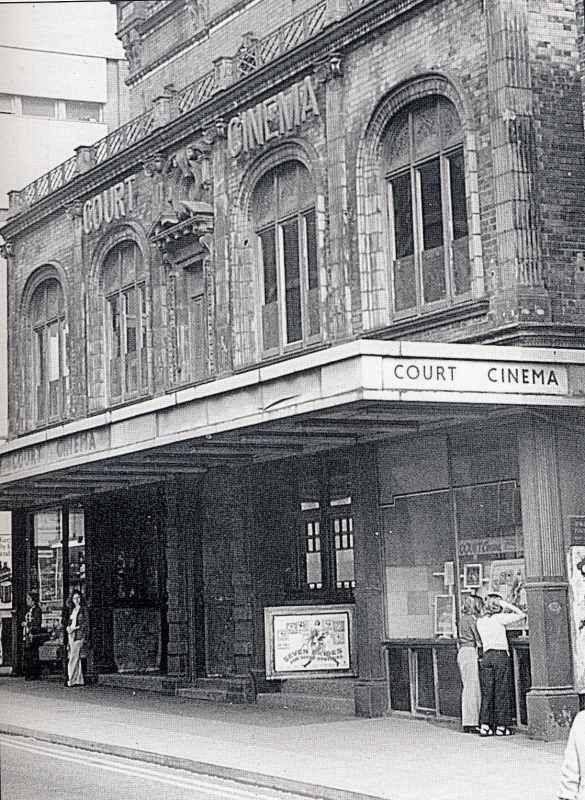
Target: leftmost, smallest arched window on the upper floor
(49, 347)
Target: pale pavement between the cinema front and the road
(326, 755)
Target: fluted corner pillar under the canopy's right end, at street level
(552, 701)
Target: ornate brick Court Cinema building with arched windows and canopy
(296, 356)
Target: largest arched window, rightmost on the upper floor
(424, 167)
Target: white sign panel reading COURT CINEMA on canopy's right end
(475, 376)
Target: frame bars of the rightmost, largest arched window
(443, 154)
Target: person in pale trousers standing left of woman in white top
(470, 649)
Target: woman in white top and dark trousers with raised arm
(495, 672)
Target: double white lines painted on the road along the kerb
(203, 783)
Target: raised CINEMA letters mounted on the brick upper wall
(273, 118)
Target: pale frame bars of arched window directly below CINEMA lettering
(276, 227)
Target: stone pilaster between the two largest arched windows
(338, 304)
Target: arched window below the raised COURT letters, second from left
(127, 321)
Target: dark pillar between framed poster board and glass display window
(370, 689)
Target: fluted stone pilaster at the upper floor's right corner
(520, 294)
